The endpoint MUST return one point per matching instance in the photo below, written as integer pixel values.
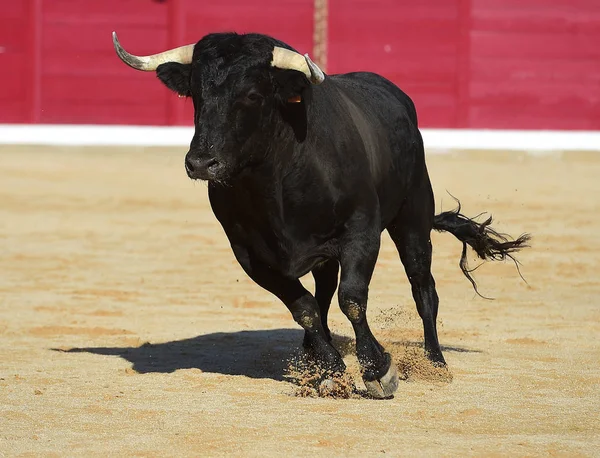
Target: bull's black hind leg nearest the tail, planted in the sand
(410, 231)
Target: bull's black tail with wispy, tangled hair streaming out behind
(485, 241)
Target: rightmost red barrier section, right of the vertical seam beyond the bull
(535, 64)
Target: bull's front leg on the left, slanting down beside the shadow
(302, 305)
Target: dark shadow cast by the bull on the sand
(255, 354)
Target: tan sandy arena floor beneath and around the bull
(116, 253)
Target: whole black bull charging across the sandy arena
(305, 177)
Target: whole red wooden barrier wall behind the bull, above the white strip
(522, 64)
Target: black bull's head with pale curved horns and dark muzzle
(243, 87)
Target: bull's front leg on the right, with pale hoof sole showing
(358, 258)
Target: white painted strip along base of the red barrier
(435, 139)
